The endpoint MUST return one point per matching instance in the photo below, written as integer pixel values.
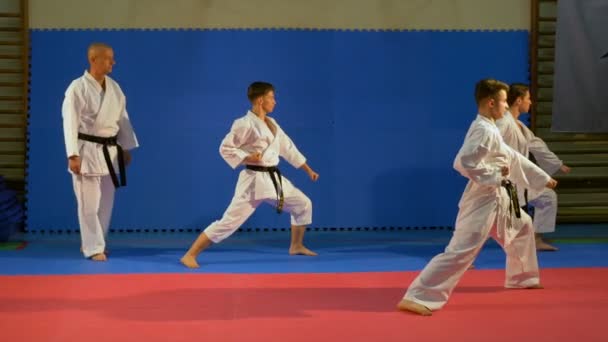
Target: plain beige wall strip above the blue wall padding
(336, 14)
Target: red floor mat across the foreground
(297, 307)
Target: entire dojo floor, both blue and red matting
(249, 289)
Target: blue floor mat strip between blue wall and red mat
(266, 252)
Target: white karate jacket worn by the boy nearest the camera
(484, 200)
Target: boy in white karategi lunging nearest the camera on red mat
(488, 207)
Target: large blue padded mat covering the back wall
(380, 115)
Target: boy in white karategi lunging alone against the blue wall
(256, 141)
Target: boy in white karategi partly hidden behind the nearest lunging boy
(520, 138)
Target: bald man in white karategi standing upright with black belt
(98, 136)
